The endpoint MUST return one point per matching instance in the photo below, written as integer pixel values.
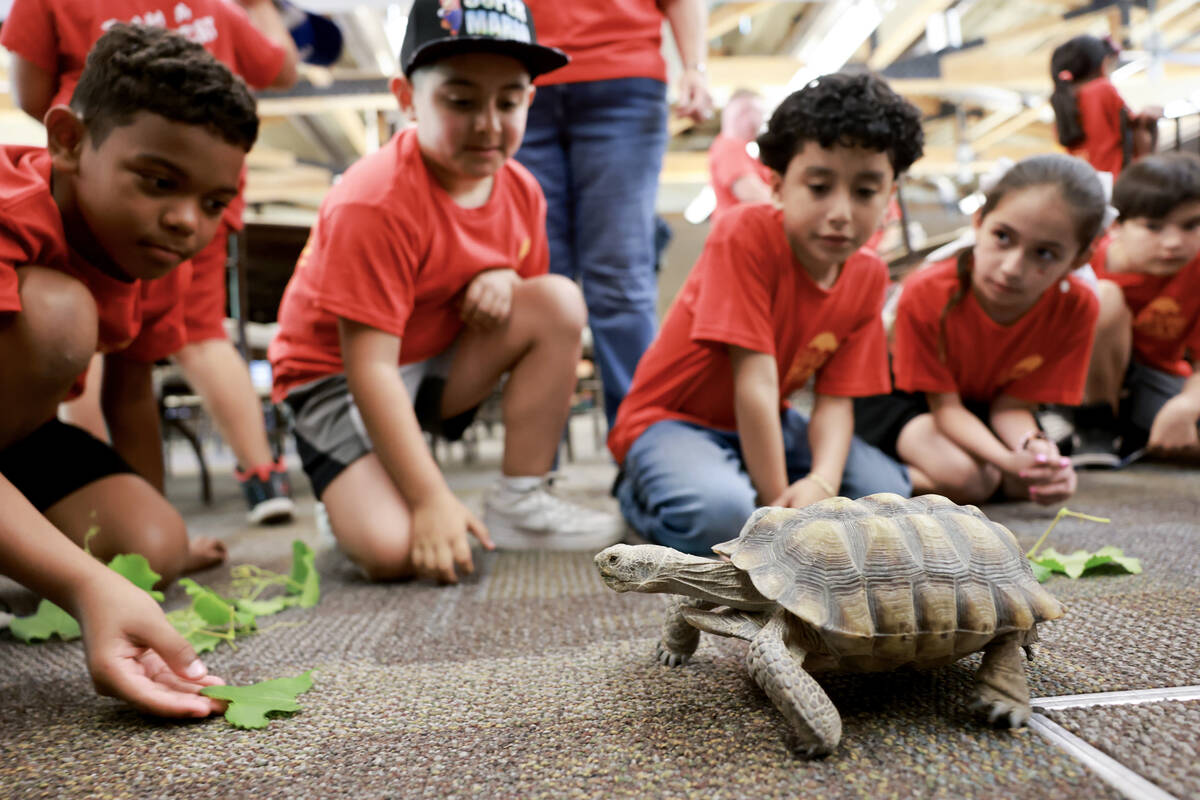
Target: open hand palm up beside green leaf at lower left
(135, 654)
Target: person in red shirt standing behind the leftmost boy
(50, 40)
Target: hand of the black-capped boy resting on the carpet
(440, 538)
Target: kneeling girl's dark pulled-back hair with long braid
(1081, 189)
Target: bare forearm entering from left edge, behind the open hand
(39, 556)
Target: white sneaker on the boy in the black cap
(539, 520)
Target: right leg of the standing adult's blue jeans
(616, 139)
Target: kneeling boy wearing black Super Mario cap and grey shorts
(431, 255)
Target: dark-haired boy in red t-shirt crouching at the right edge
(1143, 382)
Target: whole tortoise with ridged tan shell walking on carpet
(853, 586)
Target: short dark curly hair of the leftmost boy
(141, 69)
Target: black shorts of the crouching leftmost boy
(58, 460)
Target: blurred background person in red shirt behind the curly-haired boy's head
(736, 176)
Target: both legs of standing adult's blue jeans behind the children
(597, 151)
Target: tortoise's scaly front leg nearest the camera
(795, 693)
